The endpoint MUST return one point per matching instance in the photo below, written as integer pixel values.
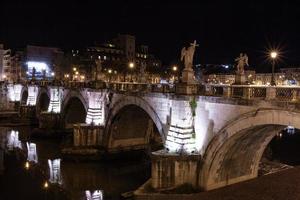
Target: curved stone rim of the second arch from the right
(135, 101)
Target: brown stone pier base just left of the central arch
(85, 135)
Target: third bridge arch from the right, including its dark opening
(74, 109)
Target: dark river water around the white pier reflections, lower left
(113, 178)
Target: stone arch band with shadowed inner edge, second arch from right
(128, 103)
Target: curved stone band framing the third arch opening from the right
(70, 96)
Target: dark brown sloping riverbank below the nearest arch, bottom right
(277, 186)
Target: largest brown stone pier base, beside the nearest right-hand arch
(172, 170)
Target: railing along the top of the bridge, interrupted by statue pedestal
(277, 93)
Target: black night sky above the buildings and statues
(223, 30)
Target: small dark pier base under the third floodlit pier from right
(49, 120)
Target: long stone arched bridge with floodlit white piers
(212, 138)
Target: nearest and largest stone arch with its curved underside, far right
(234, 153)
